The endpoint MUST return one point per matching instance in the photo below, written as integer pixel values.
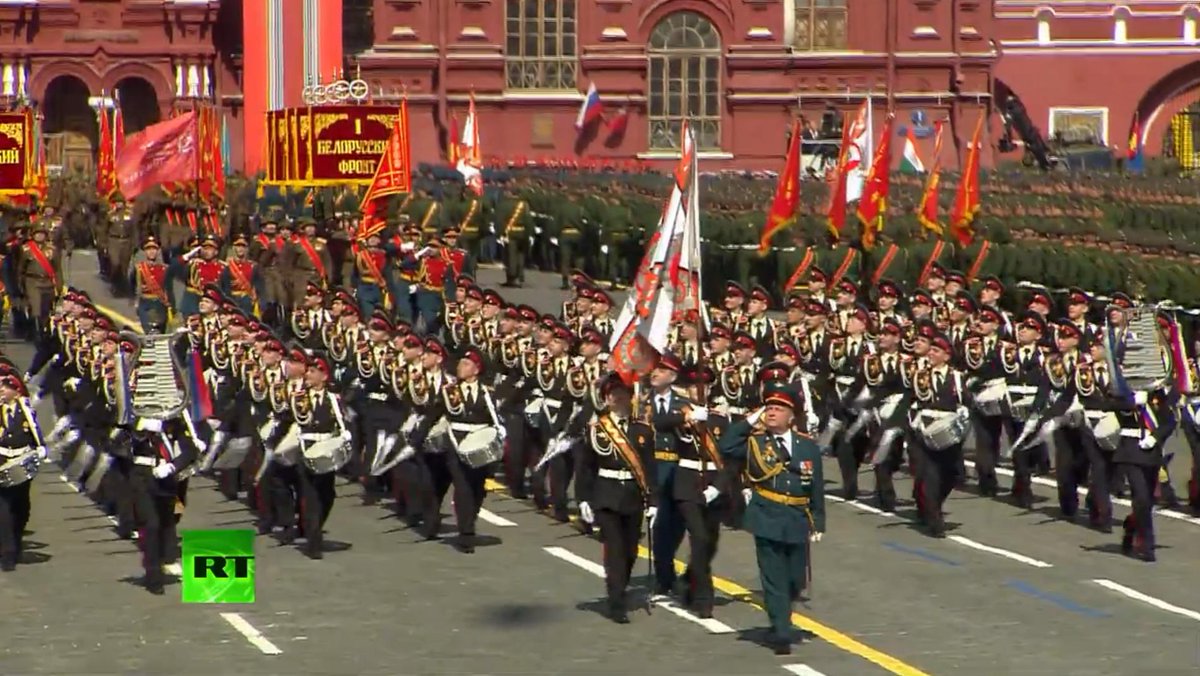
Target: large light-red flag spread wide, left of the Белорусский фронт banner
(166, 152)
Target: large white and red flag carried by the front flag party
(669, 279)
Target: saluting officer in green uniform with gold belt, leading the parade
(787, 509)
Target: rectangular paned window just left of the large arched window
(541, 46)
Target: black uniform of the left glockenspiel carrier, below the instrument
(160, 450)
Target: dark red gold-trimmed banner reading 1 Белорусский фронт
(328, 145)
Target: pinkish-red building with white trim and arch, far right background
(1099, 64)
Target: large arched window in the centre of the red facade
(686, 81)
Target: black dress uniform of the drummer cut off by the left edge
(20, 434)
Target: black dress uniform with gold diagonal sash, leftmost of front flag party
(616, 481)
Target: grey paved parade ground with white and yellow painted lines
(1009, 591)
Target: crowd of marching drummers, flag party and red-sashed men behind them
(405, 357)
